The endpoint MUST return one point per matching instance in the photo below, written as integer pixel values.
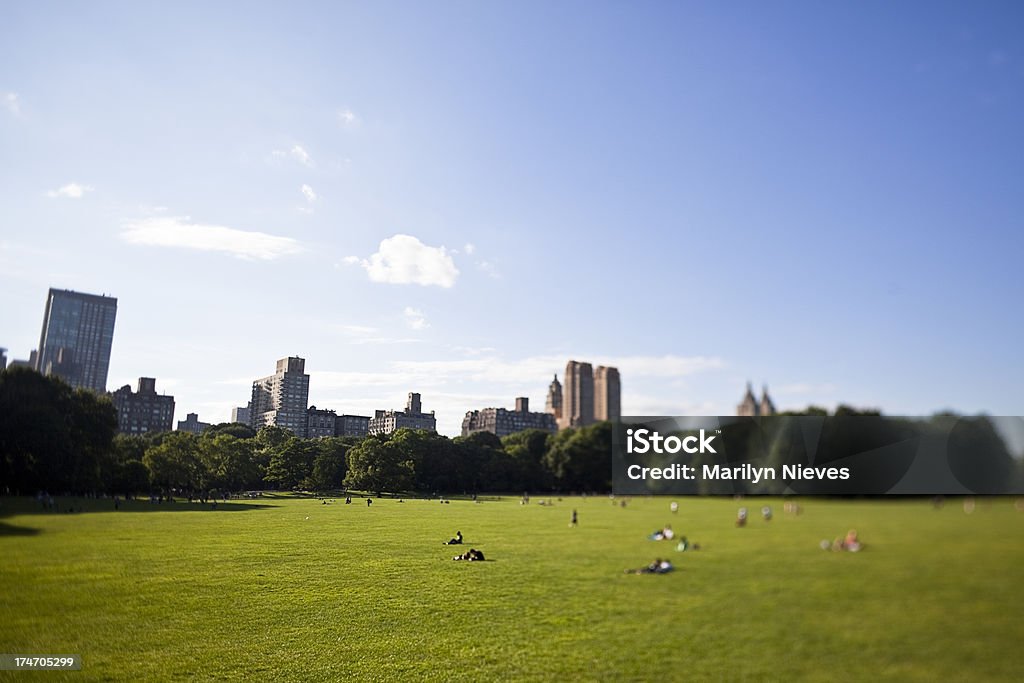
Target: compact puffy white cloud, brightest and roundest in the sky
(403, 260)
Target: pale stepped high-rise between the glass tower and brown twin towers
(281, 399)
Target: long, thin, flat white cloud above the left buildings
(182, 233)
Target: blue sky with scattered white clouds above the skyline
(457, 198)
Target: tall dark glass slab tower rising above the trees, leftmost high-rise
(75, 344)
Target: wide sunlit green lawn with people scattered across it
(296, 590)
